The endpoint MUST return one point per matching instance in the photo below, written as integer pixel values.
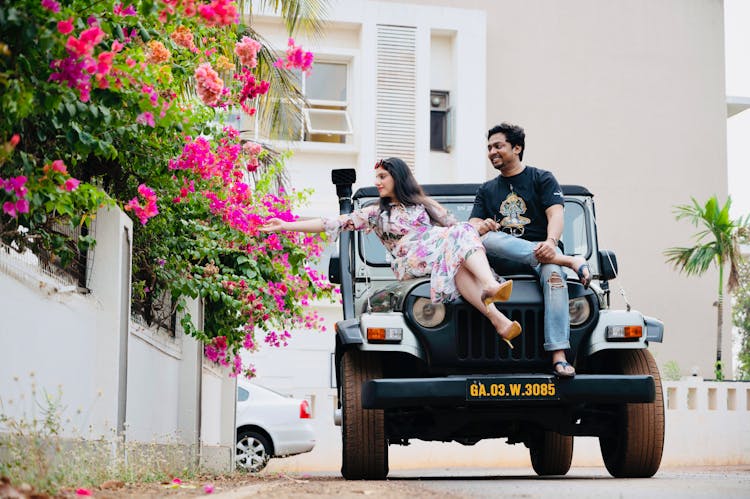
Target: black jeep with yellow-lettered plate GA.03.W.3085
(407, 368)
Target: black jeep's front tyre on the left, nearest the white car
(364, 447)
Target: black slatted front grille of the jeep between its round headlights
(477, 341)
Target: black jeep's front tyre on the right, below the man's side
(635, 447)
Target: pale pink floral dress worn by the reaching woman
(418, 247)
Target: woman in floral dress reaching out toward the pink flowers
(423, 239)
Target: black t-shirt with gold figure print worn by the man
(519, 202)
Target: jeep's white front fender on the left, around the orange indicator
(351, 333)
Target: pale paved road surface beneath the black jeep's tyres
(580, 483)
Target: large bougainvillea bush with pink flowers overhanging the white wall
(111, 102)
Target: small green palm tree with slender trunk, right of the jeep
(717, 243)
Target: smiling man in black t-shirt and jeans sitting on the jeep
(527, 203)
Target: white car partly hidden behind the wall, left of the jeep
(270, 425)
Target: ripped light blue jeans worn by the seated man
(555, 291)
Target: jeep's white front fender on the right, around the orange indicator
(653, 330)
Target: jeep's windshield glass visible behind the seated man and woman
(575, 236)
